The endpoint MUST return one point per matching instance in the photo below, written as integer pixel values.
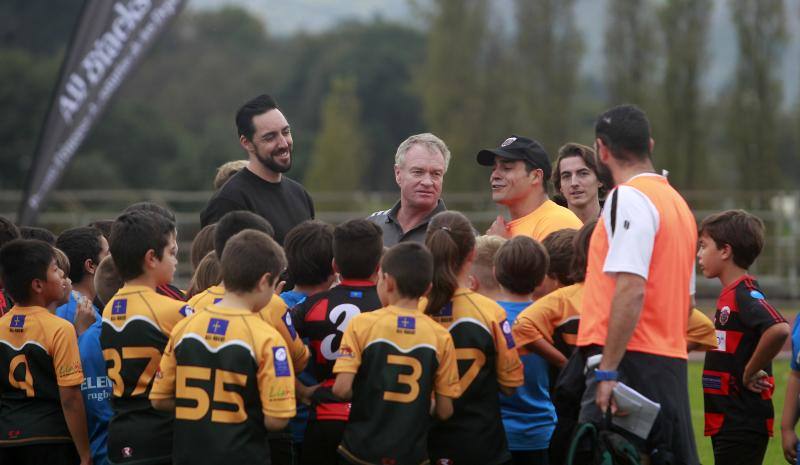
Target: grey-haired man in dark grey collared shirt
(419, 167)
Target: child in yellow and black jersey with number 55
(226, 374)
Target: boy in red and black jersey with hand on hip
(737, 377)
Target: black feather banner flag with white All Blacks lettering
(109, 42)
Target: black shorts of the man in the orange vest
(662, 380)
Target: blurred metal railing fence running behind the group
(776, 268)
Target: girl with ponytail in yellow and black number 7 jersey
(482, 337)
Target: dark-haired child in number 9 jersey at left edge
(41, 409)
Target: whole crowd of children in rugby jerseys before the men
(455, 351)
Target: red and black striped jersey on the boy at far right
(742, 316)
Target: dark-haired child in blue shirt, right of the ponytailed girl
(528, 414)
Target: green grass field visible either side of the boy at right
(774, 454)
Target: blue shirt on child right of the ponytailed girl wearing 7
(529, 417)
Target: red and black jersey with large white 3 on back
(322, 319)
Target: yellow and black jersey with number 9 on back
(38, 353)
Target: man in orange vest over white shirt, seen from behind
(639, 287)
